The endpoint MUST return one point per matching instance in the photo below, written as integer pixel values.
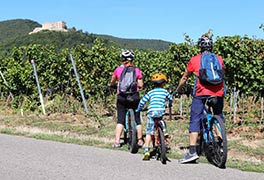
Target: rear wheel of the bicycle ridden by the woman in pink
(132, 132)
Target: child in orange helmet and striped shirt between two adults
(156, 108)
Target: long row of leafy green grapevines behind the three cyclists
(243, 63)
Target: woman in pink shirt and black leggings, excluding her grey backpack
(123, 103)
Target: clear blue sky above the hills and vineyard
(166, 20)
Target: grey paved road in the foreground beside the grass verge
(24, 158)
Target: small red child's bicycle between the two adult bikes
(160, 149)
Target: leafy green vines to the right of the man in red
(243, 62)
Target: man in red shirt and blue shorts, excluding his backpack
(200, 93)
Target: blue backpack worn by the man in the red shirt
(211, 72)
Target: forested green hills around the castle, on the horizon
(14, 33)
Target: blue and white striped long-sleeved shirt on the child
(157, 98)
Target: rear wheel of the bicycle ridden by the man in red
(218, 149)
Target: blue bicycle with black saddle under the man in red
(212, 141)
